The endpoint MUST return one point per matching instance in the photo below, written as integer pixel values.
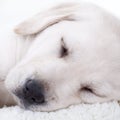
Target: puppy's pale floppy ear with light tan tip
(45, 19)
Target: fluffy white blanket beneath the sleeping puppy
(104, 111)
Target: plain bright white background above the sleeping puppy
(14, 11)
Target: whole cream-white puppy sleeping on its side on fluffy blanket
(67, 55)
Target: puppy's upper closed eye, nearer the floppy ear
(64, 49)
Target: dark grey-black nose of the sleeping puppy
(33, 92)
